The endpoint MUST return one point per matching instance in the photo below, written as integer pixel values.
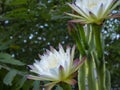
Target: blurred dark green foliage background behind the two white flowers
(28, 27)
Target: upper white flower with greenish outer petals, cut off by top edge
(93, 11)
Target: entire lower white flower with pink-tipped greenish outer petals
(56, 66)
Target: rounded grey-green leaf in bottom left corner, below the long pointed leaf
(9, 77)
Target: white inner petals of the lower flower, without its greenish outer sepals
(50, 62)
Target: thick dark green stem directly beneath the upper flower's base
(99, 48)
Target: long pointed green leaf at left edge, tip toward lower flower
(6, 58)
